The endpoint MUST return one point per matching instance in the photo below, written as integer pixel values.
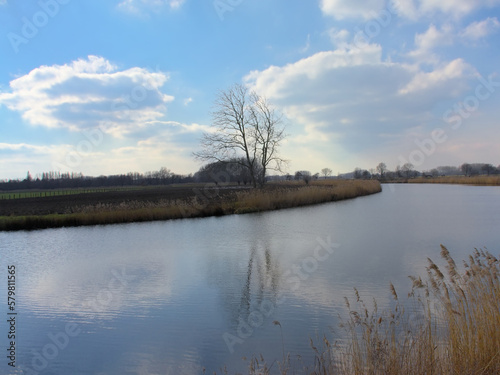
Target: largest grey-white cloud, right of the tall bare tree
(352, 99)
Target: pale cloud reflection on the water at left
(102, 289)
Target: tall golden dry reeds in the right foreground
(452, 327)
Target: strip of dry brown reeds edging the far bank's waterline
(202, 204)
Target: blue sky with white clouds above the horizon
(117, 86)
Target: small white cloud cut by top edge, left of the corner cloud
(342, 9)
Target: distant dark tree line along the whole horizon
(230, 171)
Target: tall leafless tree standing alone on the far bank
(245, 128)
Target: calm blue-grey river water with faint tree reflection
(177, 297)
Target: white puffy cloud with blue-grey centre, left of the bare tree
(86, 93)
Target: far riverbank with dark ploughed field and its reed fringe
(172, 203)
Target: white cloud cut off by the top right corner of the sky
(415, 9)
